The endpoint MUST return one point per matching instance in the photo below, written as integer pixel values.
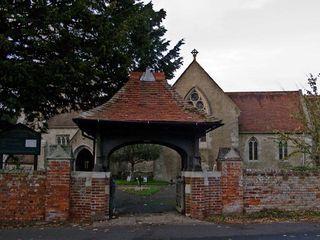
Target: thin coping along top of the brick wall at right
(274, 172)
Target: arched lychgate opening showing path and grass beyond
(150, 187)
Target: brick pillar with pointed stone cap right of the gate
(230, 165)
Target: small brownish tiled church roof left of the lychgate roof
(63, 120)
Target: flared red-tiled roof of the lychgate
(141, 100)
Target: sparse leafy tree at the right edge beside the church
(309, 116)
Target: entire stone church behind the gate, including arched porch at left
(251, 121)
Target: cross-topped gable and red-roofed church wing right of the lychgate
(252, 121)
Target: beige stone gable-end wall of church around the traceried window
(219, 102)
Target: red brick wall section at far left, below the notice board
(22, 196)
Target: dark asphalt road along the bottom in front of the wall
(197, 231)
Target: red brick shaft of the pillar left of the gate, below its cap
(57, 203)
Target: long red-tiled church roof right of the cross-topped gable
(267, 112)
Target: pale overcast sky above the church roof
(248, 45)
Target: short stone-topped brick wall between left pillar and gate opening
(89, 195)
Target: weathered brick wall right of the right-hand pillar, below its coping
(281, 190)
